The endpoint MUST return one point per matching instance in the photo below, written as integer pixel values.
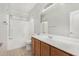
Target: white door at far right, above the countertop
(74, 24)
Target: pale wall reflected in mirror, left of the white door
(58, 18)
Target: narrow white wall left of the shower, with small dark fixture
(3, 30)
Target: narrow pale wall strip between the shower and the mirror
(35, 14)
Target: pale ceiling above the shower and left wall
(19, 9)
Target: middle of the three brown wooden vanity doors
(45, 49)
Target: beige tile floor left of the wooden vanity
(16, 52)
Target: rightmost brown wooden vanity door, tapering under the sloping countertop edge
(57, 52)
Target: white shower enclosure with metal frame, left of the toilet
(18, 31)
